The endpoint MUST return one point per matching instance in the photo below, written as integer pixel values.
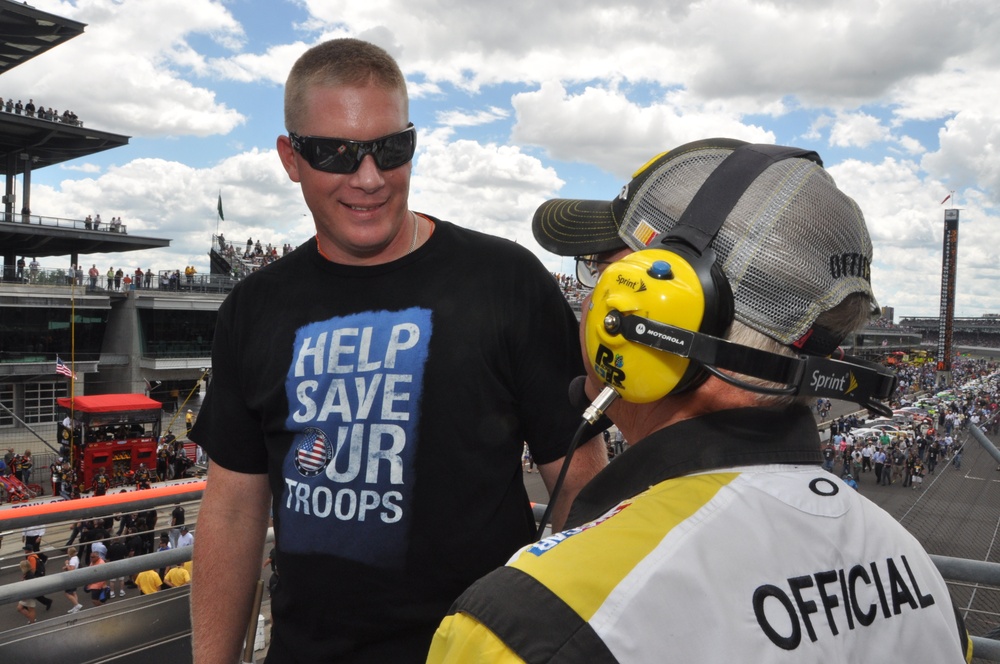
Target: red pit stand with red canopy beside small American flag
(113, 431)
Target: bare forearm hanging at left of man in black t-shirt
(232, 523)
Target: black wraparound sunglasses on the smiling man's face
(340, 155)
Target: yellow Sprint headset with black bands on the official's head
(657, 315)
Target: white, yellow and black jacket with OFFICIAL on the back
(718, 539)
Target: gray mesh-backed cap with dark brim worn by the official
(793, 247)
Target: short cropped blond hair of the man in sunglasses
(340, 63)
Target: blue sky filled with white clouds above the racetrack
(521, 101)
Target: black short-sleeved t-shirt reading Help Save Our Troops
(389, 405)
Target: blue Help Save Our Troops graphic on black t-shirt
(354, 392)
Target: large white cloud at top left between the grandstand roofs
(128, 70)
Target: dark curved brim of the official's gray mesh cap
(576, 228)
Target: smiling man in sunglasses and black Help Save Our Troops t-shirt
(377, 384)
